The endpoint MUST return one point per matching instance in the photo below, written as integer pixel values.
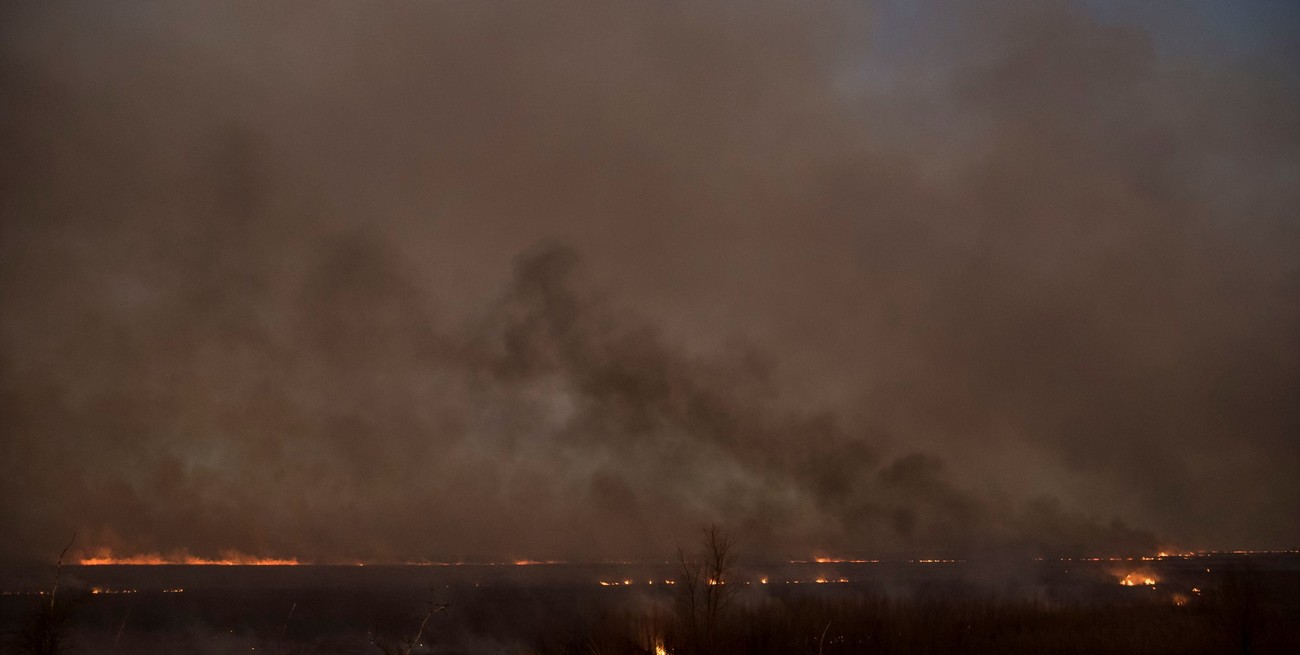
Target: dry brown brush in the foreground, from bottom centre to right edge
(881, 626)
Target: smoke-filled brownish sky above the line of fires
(401, 281)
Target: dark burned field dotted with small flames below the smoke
(1206, 604)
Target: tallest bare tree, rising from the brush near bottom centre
(707, 591)
